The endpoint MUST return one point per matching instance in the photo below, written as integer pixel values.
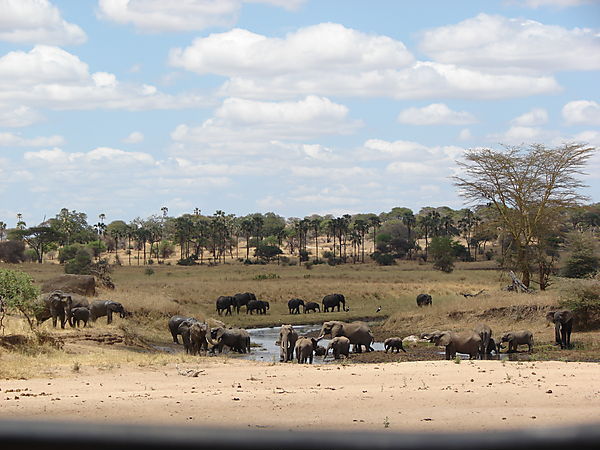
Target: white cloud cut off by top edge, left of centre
(183, 15)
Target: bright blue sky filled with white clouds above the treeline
(298, 107)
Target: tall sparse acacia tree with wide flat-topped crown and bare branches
(529, 188)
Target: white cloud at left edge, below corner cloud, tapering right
(51, 77)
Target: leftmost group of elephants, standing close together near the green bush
(75, 309)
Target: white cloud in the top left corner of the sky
(36, 22)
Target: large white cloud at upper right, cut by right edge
(503, 44)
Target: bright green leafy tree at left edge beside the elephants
(18, 292)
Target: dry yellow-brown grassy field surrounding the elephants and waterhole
(193, 290)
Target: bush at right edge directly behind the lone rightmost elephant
(584, 301)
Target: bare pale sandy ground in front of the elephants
(415, 396)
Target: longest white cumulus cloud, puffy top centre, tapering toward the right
(352, 63)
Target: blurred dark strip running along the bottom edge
(19, 435)
